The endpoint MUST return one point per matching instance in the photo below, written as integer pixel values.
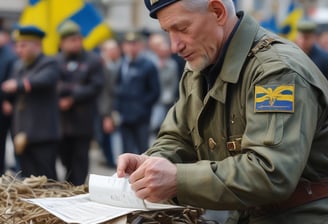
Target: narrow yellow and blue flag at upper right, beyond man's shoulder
(289, 25)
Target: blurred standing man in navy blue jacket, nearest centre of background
(137, 90)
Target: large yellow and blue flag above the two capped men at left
(49, 14)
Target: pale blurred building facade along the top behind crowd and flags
(123, 15)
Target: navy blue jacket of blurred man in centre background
(137, 92)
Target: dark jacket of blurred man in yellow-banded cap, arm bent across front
(36, 113)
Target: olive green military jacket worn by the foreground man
(233, 155)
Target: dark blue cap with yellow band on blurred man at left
(28, 32)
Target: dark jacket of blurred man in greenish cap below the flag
(81, 78)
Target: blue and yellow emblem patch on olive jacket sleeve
(274, 98)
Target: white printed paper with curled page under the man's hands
(108, 198)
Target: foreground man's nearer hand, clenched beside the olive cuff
(155, 180)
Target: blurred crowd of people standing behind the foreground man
(52, 108)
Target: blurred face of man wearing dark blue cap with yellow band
(27, 49)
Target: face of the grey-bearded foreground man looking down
(194, 35)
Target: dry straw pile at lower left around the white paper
(15, 211)
